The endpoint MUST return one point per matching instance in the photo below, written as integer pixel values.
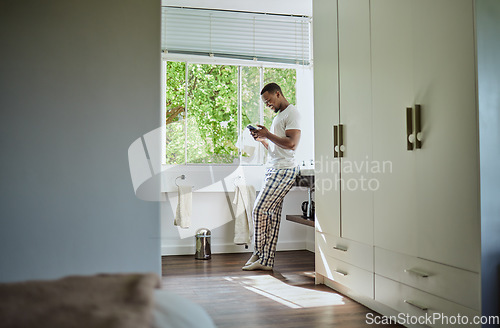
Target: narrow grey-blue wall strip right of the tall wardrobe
(488, 44)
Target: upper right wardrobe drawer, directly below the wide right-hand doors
(457, 285)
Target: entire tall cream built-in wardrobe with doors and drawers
(399, 77)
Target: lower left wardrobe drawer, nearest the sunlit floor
(357, 280)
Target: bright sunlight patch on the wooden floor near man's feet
(291, 296)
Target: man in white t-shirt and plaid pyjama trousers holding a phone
(280, 140)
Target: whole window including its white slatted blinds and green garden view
(210, 101)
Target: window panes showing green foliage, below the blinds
(208, 107)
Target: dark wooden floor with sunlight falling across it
(285, 297)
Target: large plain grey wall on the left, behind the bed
(79, 82)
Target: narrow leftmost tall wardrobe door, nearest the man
(326, 115)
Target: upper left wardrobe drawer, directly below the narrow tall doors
(358, 254)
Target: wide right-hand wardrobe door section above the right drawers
(423, 54)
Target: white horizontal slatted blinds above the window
(241, 35)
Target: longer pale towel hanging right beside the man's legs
(244, 198)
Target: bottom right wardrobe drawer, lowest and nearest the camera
(416, 303)
